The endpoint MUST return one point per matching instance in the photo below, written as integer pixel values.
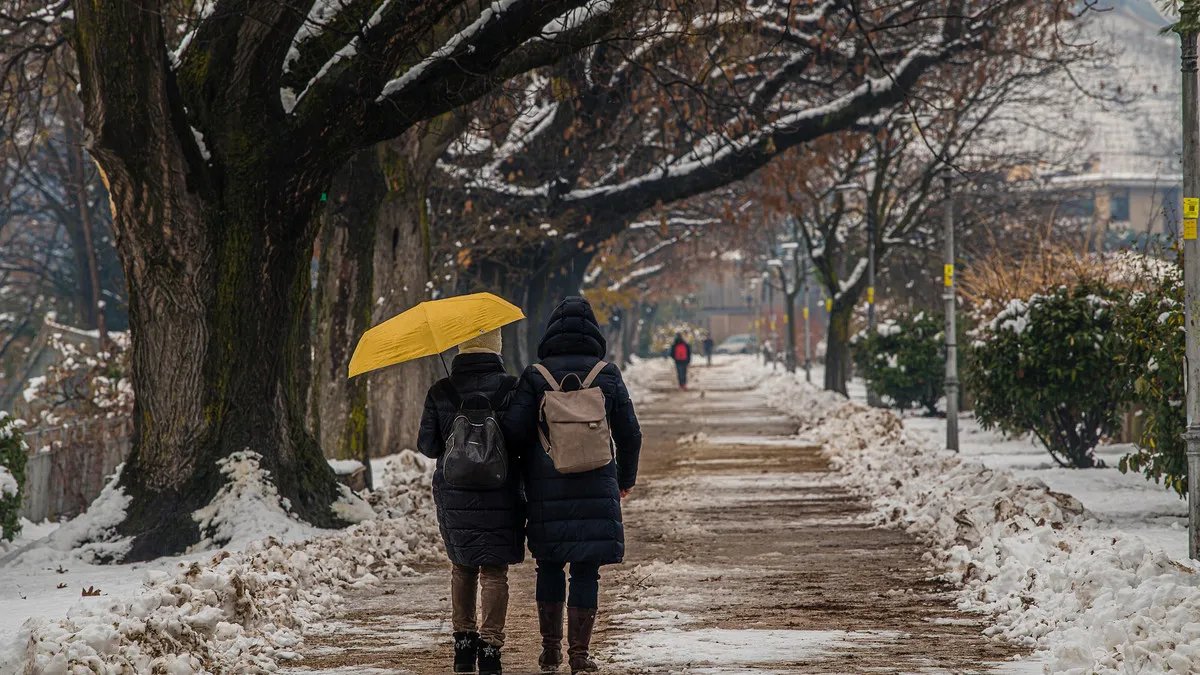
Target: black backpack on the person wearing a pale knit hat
(476, 457)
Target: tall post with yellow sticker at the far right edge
(1190, 21)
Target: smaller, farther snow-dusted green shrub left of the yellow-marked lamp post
(905, 361)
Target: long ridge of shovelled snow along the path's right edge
(1052, 575)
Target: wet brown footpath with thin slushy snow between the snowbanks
(745, 555)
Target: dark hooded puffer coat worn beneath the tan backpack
(574, 518)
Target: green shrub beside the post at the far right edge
(1153, 325)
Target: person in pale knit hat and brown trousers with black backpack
(482, 519)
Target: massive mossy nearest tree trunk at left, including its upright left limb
(215, 255)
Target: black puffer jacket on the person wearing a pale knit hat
(481, 528)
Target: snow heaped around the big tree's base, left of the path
(233, 611)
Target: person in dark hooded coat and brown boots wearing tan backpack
(574, 423)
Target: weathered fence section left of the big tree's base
(69, 465)
